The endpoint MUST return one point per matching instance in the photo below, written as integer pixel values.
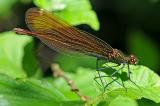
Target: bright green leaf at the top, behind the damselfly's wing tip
(74, 12)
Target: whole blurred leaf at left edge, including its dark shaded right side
(16, 56)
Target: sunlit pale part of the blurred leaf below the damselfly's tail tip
(11, 53)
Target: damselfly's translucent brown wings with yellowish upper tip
(62, 37)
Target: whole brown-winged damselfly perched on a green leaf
(62, 37)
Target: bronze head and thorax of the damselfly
(118, 57)
